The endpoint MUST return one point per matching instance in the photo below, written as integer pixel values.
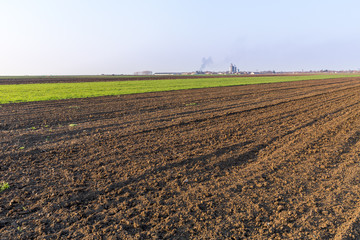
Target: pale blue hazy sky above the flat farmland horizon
(40, 37)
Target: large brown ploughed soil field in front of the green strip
(270, 161)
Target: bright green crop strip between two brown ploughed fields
(56, 91)
